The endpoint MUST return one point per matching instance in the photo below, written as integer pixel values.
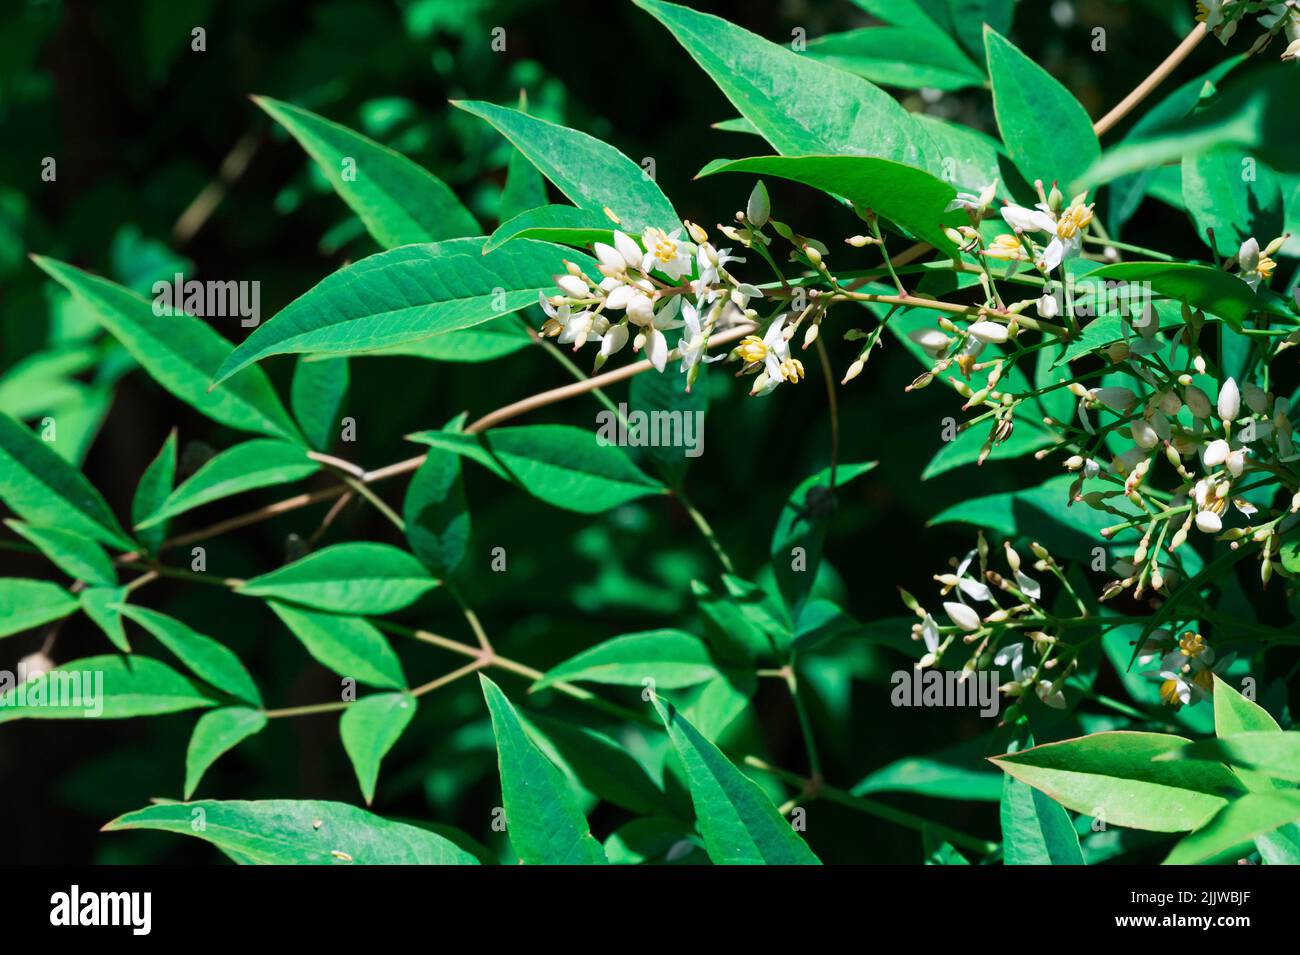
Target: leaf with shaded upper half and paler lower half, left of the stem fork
(262, 463)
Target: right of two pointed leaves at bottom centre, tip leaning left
(739, 823)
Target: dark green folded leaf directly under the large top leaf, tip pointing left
(911, 198)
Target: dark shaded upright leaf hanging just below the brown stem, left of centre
(436, 513)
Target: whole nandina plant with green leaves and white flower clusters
(548, 617)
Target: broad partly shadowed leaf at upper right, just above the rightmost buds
(1220, 196)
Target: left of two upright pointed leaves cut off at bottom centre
(544, 822)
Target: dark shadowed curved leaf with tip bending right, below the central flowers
(803, 523)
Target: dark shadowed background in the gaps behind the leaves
(140, 127)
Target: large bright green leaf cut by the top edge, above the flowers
(800, 106)
